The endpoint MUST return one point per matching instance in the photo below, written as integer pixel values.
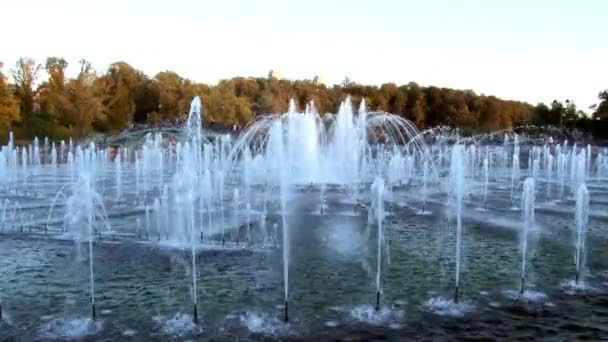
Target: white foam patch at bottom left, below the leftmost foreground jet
(71, 328)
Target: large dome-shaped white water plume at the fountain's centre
(345, 149)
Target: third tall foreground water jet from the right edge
(456, 194)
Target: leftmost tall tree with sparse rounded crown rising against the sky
(25, 75)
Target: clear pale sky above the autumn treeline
(534, 50)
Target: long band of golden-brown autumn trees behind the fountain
(105, 102)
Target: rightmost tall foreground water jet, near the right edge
(581, 218)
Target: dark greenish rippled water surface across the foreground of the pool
(143, 290)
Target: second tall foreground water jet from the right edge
(527, 211)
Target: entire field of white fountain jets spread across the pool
(300, 178)
